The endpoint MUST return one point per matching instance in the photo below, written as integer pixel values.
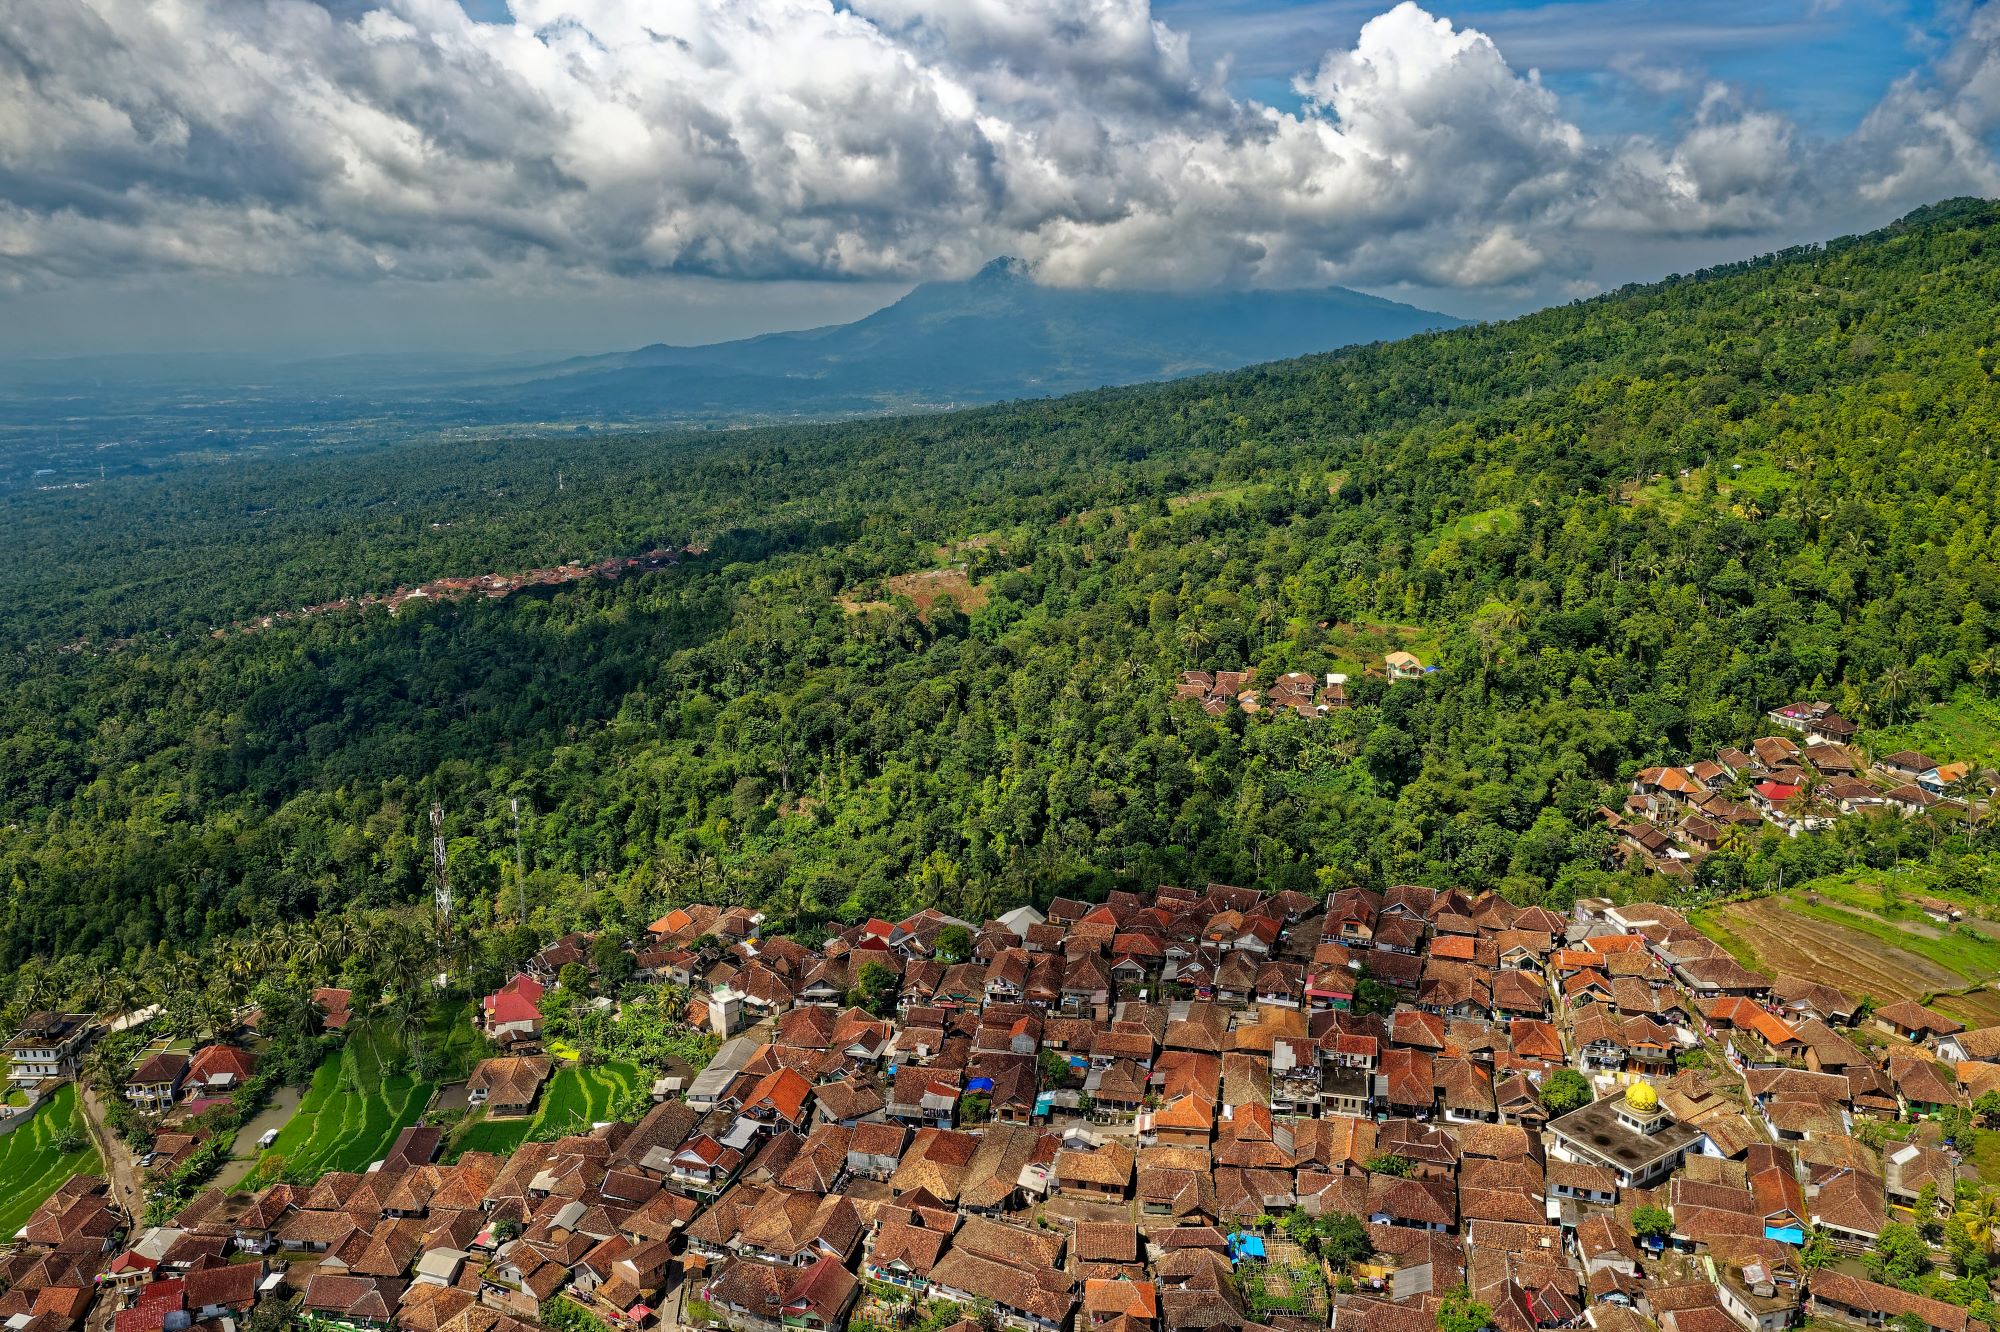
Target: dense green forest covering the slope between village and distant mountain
(1625, 527)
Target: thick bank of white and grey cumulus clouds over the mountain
(881, 139)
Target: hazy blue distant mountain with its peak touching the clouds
(991, 337)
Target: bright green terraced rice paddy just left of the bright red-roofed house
(363, 1099)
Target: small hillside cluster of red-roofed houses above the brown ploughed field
(1673, 817)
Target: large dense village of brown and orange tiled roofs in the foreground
(1093, 1119)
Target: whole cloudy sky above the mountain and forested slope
(533, 177)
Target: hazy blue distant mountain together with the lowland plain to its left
(987, 339)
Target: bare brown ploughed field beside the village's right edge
(1785, 943)
